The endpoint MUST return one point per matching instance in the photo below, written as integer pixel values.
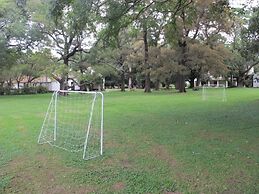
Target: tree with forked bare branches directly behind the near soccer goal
(67, 25)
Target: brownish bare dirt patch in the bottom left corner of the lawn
(41, 175)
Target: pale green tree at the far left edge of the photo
(18, 36)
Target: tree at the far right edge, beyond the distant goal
(245, 45)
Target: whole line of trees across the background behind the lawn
(144, 44)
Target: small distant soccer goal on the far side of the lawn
(214, 92)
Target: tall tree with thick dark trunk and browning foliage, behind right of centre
(201, 21)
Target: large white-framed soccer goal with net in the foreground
(74, 122)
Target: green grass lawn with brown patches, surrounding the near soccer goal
(162, 142)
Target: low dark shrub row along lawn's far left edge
(25, 90)
